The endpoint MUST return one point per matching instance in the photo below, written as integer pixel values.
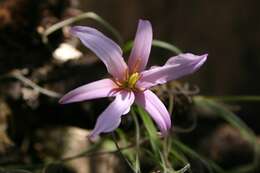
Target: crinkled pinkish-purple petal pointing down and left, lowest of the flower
(110, 119)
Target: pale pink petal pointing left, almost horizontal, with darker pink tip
(97, 89)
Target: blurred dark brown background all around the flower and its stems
(35, 73)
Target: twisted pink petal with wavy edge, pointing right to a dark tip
(174, 68)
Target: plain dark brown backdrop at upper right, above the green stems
(227, 30)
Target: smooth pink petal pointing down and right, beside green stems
(153, 105)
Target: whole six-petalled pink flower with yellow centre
(129, 83)
